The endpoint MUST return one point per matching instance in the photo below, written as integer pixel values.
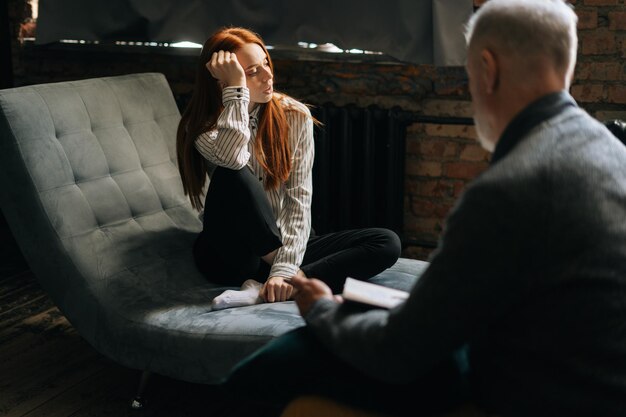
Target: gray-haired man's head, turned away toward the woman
(518, 51)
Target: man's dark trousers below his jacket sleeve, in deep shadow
(296, 363)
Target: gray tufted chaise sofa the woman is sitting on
(91, 191)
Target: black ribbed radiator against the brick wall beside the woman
(358, 174)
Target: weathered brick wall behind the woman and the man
(441, 157)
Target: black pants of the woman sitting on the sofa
(240, 228)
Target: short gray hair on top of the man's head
(527, 29)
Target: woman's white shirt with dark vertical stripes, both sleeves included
(229, 146)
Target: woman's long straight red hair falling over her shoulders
(271, 145)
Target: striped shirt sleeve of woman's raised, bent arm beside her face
(227, 145)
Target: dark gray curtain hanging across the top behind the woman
(417, 31)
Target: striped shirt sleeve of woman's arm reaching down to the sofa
(295, 216)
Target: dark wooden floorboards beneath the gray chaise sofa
(47, 369)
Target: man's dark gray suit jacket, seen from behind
(530, 273)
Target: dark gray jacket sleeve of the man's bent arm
(474, 279)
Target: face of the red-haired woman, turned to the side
(259, 77)
